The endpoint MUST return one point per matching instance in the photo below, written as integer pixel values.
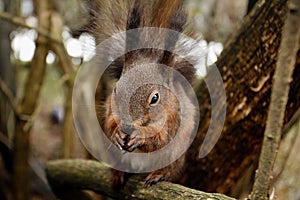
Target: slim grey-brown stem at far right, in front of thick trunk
(280, 89)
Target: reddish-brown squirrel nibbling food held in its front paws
(154, 110)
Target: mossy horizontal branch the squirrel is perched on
(69, 175)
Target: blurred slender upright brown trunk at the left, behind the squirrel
(28, 105)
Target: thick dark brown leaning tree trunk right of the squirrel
(247, 66)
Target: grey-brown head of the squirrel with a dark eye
(143, 96)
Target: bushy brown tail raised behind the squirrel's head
(107, 17)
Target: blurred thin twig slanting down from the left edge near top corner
(20, 22)
